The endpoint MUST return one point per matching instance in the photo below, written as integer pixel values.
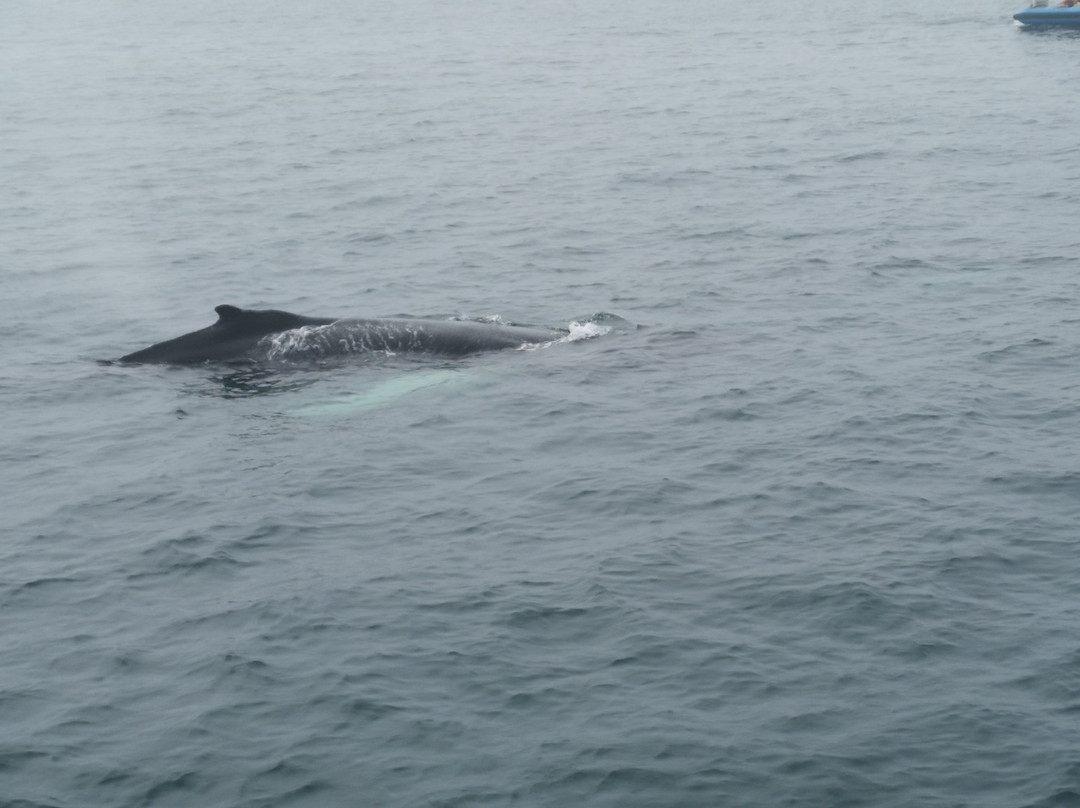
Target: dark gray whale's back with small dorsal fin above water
(238, 333)
